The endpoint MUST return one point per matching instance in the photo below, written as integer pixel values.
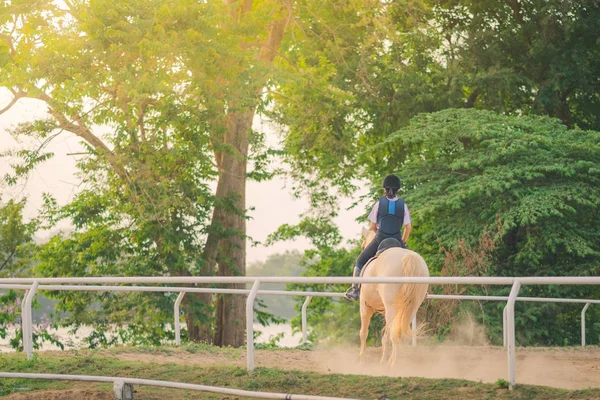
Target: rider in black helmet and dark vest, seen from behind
(387, 217)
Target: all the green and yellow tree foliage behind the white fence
(162, 77)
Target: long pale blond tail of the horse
(410, 296)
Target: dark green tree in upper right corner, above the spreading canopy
(526, 57)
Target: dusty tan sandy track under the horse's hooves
(568, 368)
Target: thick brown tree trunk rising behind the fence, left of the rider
(230, 310)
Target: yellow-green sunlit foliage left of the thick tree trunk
(147, 85)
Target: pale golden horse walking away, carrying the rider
(398, 302)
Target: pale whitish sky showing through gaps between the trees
(273, 203)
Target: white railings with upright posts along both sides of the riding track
(31, 285)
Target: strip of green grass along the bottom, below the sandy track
(90, 362)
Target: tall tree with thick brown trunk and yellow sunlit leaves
(133, 66)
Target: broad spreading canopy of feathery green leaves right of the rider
(468, 167)
